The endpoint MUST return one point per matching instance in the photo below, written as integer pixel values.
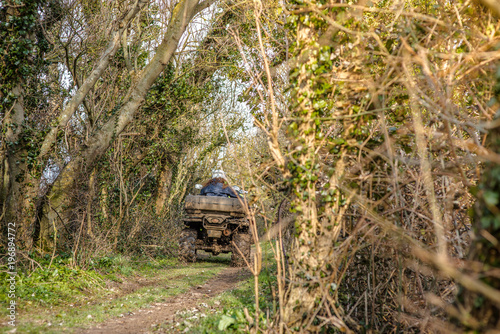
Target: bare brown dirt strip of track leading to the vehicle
(145, 320)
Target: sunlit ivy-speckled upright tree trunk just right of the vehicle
(312, 258)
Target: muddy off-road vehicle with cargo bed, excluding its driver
(217, 225)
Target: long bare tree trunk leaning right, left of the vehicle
(56, 207)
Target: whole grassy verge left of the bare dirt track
(62, 298)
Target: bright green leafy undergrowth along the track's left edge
(64, 283)
